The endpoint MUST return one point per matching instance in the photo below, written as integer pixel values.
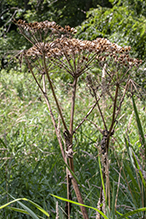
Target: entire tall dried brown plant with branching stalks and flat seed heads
(53, 45)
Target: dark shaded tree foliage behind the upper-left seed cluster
(67, 12)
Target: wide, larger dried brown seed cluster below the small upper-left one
(70, 46)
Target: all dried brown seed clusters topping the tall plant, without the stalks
(68, 46)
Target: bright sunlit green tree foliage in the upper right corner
(124, 23)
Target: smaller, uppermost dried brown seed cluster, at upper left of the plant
(45, 25)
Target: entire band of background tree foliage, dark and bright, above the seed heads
(123, 22)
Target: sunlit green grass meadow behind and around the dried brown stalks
(31, 165)
